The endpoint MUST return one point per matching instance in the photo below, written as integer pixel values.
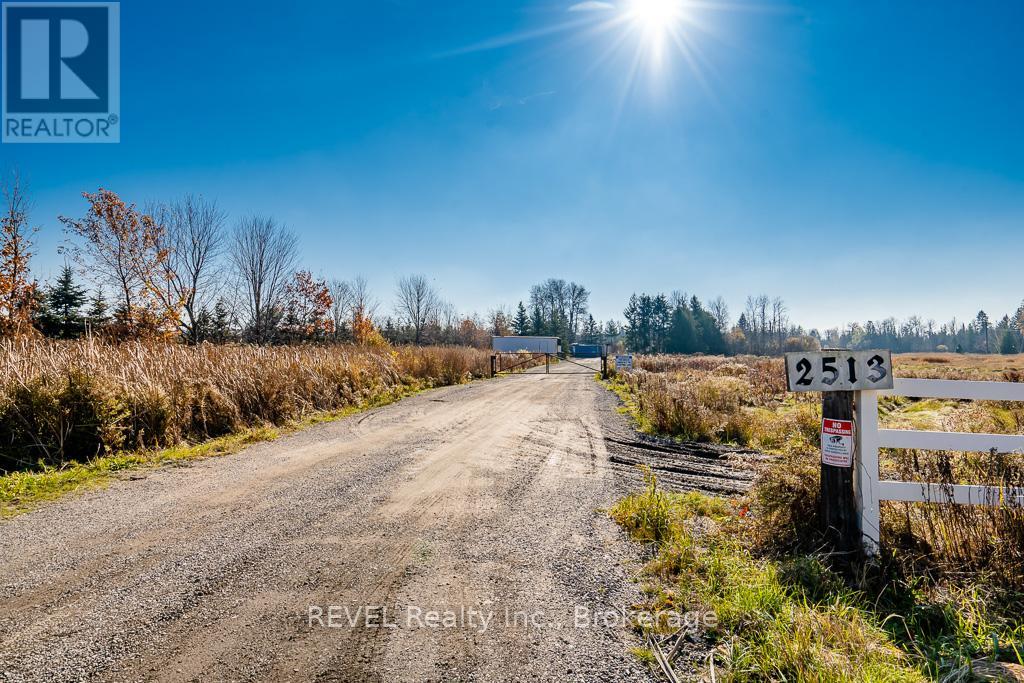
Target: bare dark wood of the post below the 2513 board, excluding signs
(839, 507)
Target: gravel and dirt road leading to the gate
(432, 516)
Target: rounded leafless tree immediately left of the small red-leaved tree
(265, 254)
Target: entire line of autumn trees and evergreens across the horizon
(182, 271)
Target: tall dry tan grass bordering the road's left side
(74, 401)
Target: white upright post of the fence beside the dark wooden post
(867, 475)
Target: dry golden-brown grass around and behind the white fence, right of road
(745, 401)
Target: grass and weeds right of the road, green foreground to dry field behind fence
(949, 591)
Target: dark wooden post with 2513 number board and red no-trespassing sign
(838, 375)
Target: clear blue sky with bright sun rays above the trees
(860, 159)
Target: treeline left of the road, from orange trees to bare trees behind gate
(182, 271)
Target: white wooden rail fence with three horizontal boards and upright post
(871, 491)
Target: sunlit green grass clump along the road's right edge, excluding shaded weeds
(776, 621)
